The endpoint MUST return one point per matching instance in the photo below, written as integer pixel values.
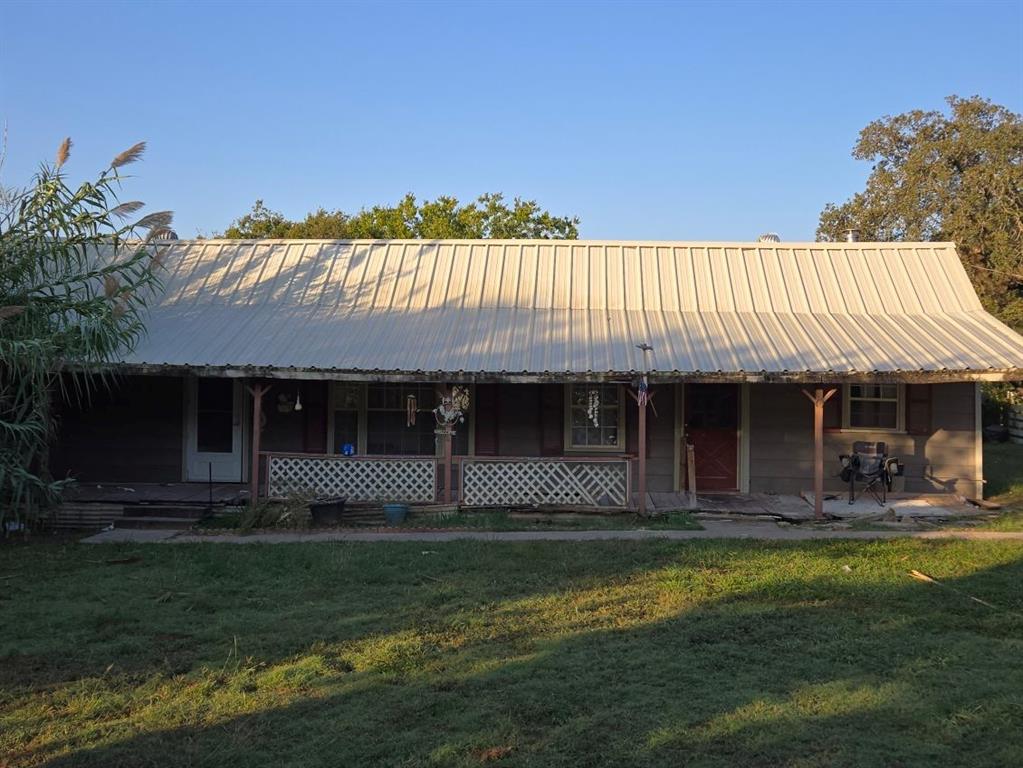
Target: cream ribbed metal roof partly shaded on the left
(564, 308)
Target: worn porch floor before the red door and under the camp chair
(799, 509)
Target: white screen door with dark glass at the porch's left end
(213, 437)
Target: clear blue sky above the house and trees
(649, 121)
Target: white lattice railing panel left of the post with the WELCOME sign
(358, 479)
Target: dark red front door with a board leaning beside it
(713, 428)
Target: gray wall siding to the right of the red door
(782, 443)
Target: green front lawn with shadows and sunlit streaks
(705, 654)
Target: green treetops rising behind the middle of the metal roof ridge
(487, 217)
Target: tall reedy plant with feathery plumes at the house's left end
(74, 284)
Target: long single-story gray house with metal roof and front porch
(302, 365)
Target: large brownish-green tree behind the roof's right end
(956, 176)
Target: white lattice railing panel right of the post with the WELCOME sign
(540, 482)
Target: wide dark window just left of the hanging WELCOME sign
(387, 420)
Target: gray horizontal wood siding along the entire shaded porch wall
(135, 433)
